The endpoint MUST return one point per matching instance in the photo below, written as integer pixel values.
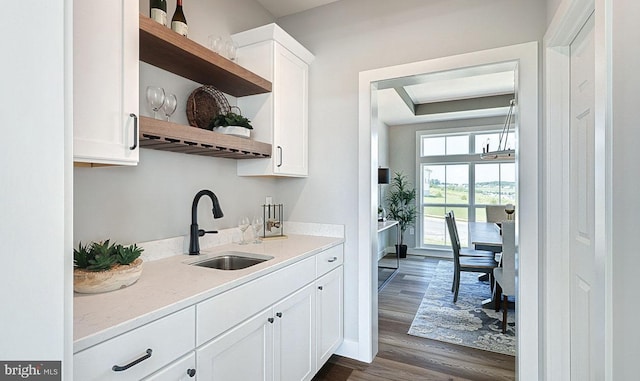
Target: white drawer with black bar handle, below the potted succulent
(168, 338)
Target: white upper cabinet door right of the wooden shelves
(290, 93)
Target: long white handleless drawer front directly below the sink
(224, 311)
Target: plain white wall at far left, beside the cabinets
(34, 281)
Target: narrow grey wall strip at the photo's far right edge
(626, 182)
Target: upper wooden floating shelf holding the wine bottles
(163, 48)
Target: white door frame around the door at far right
(567, 22)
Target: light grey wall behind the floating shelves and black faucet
(153, 200)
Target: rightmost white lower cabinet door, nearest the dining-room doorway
(329, 309)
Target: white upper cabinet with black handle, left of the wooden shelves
(105, 82)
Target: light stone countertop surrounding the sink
(171, 284)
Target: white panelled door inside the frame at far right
(587, 356)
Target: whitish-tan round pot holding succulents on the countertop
(94, 282)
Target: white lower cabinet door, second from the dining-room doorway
(294, 336)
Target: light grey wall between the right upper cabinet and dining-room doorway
(356, 35)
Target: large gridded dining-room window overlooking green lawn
(453, 177)
